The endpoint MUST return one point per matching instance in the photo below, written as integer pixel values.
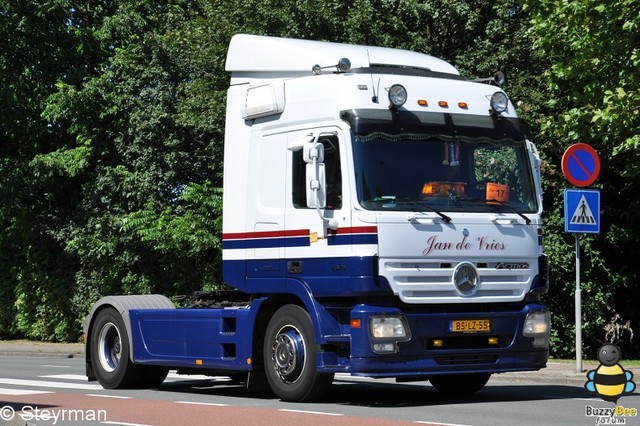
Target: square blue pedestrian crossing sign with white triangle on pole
(582, 211)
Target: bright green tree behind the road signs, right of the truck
(594, 96)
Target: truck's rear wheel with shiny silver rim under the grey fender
(110, 352)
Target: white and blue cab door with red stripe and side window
(319, 245)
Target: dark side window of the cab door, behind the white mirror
(332, 170)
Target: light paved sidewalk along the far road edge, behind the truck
(556, 372)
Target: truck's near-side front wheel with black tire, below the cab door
(290, 356)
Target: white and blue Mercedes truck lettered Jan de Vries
(381, 218)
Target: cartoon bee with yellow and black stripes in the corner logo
(609, 381)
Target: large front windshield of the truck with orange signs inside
(440, 162)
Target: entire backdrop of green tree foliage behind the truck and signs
(111, 132)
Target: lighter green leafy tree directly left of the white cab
(144, 160)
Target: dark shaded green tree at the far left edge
(37, 49)
